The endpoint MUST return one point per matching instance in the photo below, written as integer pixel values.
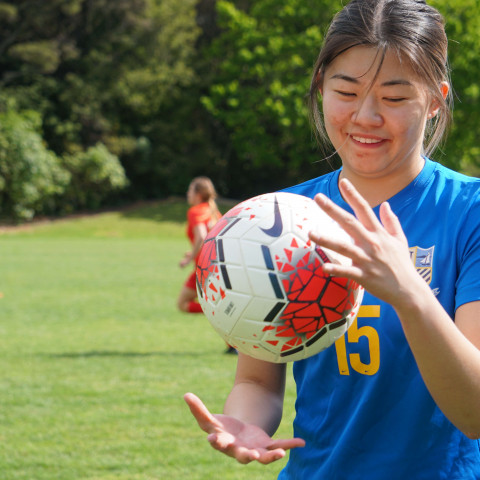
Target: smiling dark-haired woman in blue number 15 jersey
(399, 395)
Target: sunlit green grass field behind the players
(95, 358)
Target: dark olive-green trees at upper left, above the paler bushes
(106, 72)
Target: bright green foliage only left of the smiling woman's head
(263, 61)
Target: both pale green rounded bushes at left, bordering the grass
(33, 180)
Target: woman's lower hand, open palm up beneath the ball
(244, 442)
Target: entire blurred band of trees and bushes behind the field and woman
(104, 103)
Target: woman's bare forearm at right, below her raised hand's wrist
(448, 361)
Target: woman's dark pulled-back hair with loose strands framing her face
(411, 29)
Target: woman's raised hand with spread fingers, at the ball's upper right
(380, 257)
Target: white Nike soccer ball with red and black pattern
(261, 284)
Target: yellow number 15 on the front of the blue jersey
(353, 335)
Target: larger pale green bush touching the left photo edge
(31, 176)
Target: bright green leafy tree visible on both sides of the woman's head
(260, 73)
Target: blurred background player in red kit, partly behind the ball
(201, 217)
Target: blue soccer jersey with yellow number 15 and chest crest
(362, 406)
